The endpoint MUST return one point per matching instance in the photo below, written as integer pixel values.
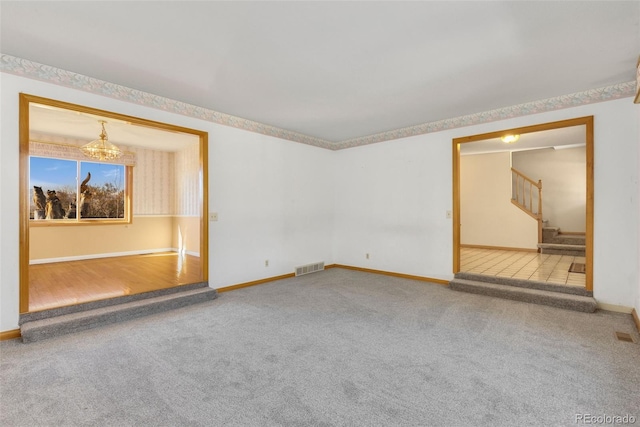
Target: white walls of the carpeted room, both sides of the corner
(291, 203)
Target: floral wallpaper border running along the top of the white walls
(23, 67)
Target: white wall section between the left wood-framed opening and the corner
(274, 200)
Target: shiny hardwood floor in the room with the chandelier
(67, 283)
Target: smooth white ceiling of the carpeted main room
(335, 70)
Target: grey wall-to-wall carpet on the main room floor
(335, 348)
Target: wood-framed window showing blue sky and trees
(72, 191)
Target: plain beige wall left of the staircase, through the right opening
(487, 216)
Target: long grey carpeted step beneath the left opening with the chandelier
(49, 327)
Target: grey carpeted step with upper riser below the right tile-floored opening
(568, 297)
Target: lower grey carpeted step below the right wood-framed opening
(535, 296)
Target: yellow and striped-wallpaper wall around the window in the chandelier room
(166, 192)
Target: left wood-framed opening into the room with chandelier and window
(124, 226)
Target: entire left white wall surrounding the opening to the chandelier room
(274, 197)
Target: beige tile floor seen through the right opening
(522, 265)
